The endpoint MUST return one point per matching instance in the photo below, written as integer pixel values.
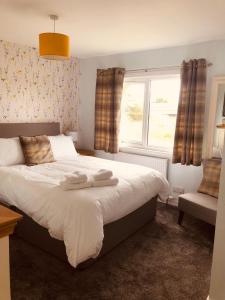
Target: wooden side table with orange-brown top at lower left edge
(8, 220)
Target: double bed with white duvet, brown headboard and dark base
(89, 222)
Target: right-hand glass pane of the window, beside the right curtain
(163, 111)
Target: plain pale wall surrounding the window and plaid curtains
(214, 52)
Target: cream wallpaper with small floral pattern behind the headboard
(37, 90)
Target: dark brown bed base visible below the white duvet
(114, 233)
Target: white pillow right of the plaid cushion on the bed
(62, 147)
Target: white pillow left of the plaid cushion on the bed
(11, 152)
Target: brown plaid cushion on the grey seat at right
(211, 177)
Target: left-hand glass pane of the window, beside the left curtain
(132, 112)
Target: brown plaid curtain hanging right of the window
(187, 148)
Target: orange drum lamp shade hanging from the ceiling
(54, 46)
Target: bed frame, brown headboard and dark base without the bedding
(114, 232)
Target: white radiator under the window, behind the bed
(159, 164)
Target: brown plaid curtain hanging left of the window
(109, 86)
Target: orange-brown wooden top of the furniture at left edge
(8, 220)
